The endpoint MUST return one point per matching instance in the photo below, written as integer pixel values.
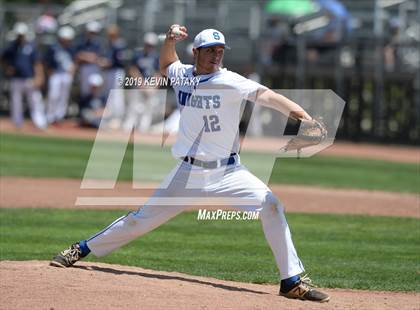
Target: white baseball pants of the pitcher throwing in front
(235, 184)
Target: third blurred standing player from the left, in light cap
(87, 53)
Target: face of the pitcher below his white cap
(208, 59)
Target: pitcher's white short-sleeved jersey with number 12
(210, 111)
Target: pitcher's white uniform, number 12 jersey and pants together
(212, 108)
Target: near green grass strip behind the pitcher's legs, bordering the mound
(358, 252)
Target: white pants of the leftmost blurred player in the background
(19, 88)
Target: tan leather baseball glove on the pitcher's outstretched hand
(312, 132)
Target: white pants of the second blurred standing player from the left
(59, 87)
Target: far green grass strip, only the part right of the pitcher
(348, 172)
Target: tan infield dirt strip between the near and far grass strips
(62, 193)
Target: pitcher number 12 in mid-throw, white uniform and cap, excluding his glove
(209, 165)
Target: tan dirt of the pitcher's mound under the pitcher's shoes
(36, 285)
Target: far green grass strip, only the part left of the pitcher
(67, 158)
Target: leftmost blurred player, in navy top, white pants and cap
(23, 67)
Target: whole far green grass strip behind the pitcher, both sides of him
(67, 158)
